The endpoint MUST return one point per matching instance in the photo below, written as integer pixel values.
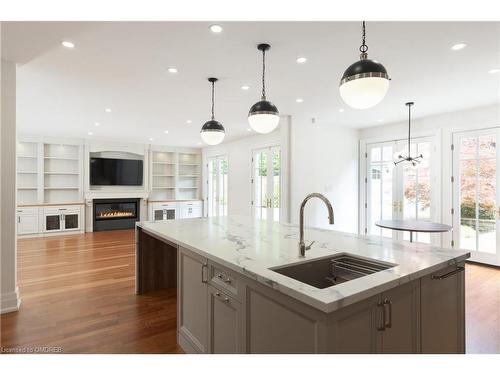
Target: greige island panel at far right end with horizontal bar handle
(443, 313)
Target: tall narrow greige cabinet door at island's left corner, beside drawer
(193, 308)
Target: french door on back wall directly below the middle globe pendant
(266, 183)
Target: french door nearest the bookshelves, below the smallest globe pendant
(217, 173)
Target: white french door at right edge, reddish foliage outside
(476, 194)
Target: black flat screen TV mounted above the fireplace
(105, 171)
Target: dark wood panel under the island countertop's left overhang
(156, 263)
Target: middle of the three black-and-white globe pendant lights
(263, 116)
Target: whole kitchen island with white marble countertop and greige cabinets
(234, 296)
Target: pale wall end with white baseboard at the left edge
(9, 291)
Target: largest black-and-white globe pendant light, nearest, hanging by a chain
(364, 83)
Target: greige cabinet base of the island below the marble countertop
(222, 311)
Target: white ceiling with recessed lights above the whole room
(123, 66)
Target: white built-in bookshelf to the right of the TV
(175, 175)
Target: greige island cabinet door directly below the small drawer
(225, 323)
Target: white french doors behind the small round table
(399, 191)
